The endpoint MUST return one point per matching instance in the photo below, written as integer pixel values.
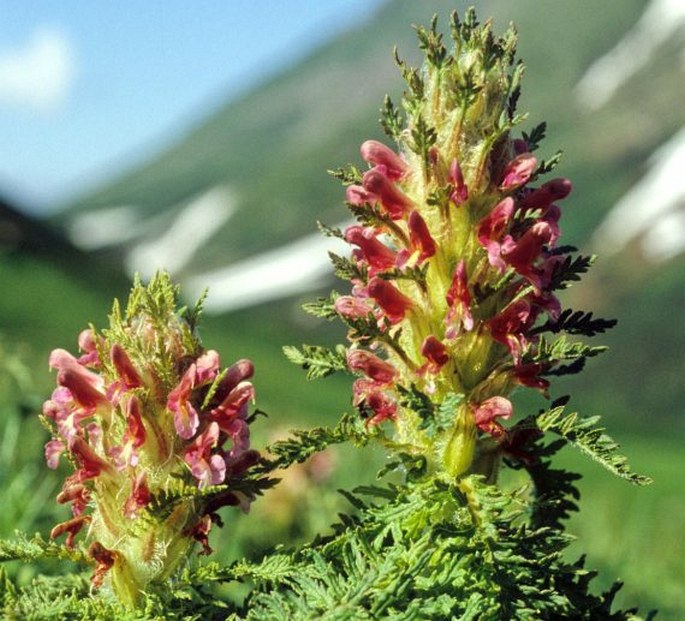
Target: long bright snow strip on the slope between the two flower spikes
(289, 270)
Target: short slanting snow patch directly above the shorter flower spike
(197, 223)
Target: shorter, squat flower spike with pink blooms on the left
(157, 434)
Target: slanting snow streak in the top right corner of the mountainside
(661, 20)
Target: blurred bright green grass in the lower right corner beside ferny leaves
(631, 533)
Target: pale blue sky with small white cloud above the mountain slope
(87, 88)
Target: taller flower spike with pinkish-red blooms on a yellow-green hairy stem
(455, 256)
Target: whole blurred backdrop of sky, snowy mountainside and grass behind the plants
(138, 136)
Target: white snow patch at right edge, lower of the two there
(653, 210)
